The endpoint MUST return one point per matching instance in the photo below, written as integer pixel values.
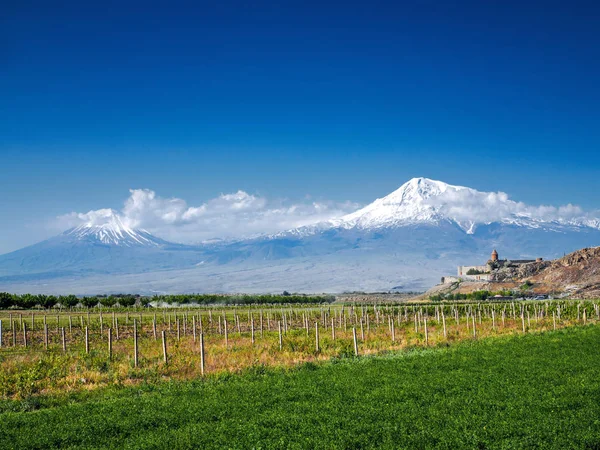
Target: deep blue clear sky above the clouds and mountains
(338, 100)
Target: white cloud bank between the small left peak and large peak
(233, 215)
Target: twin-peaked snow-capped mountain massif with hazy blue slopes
(405, 240)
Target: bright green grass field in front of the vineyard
(528, 391)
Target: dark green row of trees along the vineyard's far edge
(30, 301)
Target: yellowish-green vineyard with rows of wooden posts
(45, 352)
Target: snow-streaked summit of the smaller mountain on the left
(107, 227)
